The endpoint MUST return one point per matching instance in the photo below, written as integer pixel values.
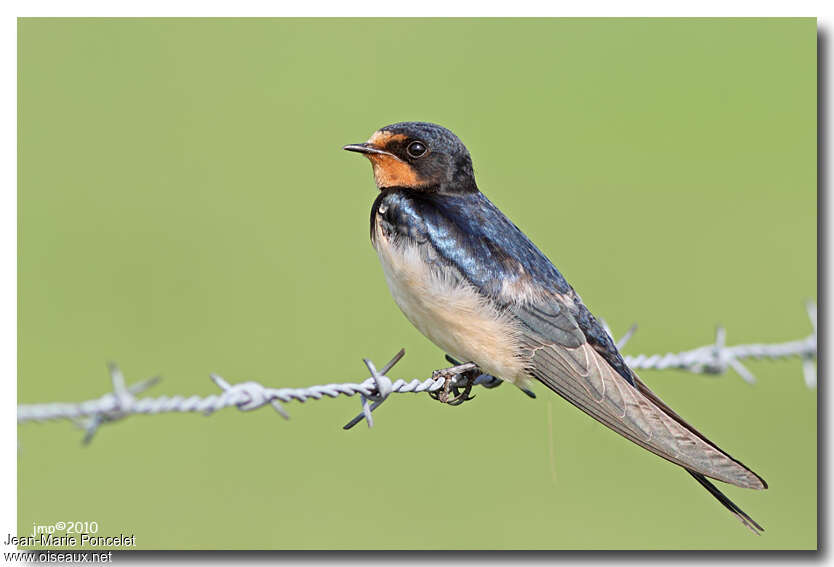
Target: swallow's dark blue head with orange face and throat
(418, 155)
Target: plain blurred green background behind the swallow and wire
(185, 208)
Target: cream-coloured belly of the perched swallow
(453, 315)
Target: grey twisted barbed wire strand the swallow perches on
(712, 359)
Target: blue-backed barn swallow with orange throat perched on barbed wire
(478, 288)
